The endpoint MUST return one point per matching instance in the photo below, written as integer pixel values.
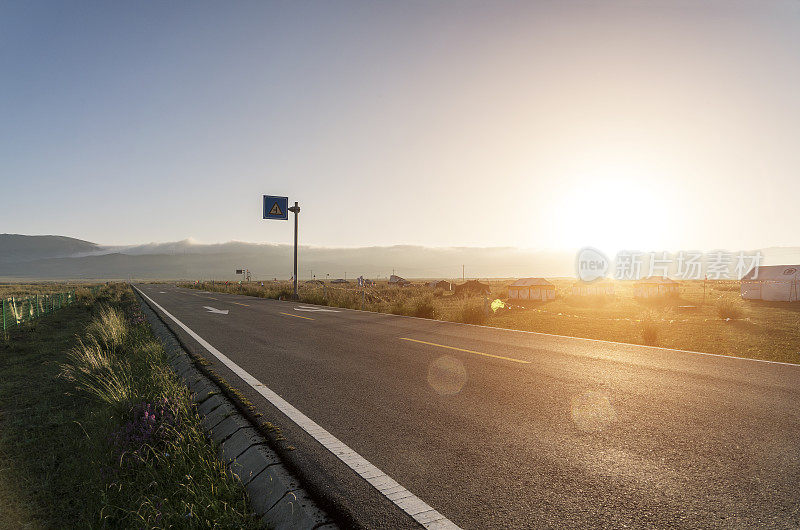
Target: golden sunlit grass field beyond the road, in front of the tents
(718, 321)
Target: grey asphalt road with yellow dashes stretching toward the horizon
(514, 429)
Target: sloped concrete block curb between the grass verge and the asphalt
(275, 494)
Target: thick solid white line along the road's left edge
(409, 503)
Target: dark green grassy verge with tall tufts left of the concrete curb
(70, 383)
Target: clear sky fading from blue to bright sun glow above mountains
(635, 124)
